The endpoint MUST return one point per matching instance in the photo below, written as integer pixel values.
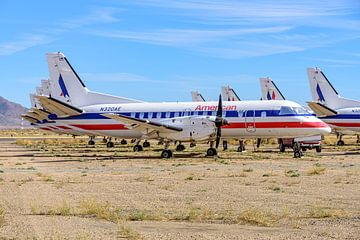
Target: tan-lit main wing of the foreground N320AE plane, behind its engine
(143, 125)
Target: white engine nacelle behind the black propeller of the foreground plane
(197, 128)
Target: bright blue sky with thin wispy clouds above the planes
(160, 50)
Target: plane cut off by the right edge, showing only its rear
(342, 114)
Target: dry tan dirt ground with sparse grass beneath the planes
(64, 189)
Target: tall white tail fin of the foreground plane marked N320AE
(67, 86)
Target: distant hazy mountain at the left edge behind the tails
(10, 114)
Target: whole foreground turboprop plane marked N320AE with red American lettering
(174, 121)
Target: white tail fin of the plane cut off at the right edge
(322, 91)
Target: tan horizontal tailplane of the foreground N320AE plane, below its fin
(57, 107)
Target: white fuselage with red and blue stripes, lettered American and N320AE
(247, 119)
